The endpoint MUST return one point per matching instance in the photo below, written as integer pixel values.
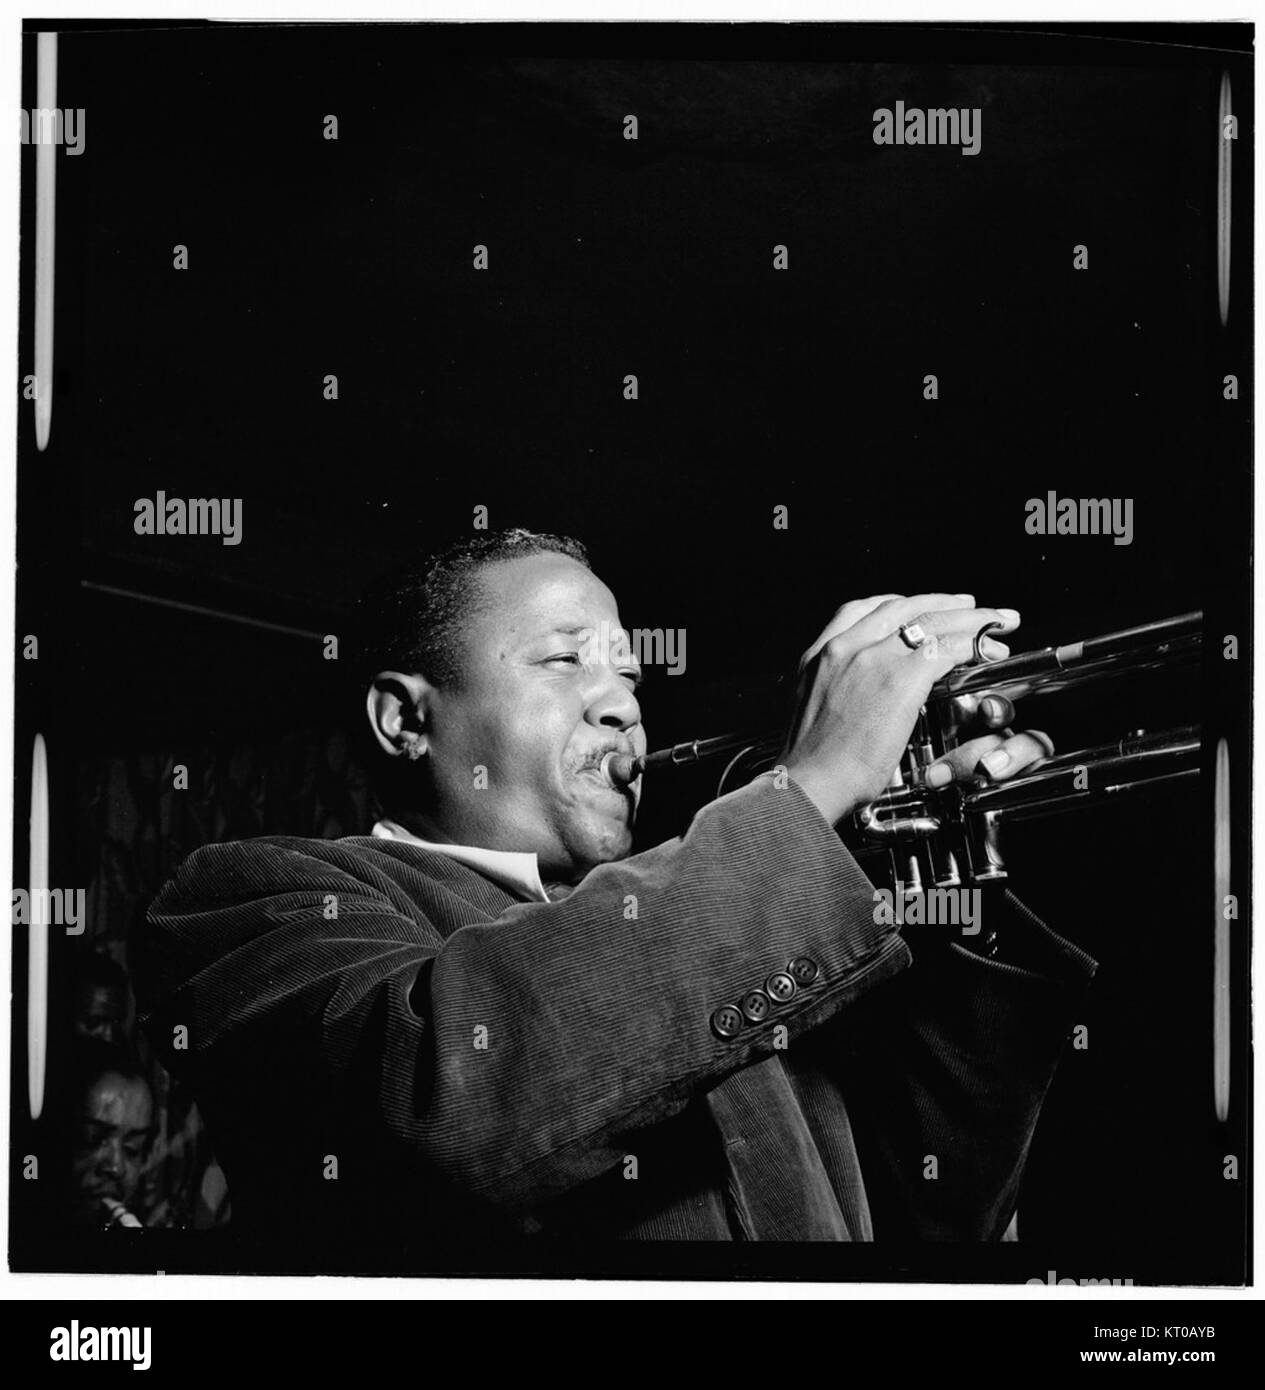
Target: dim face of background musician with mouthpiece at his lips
(112, 1142)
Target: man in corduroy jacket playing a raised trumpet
(497, 1022)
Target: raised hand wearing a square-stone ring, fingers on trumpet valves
(861, 690)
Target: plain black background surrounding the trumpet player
(758, 389)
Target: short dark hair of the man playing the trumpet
(414, 619)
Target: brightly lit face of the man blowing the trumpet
(539, 705)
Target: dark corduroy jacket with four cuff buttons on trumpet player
(383, 1039)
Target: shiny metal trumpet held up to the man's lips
(950, 836)
